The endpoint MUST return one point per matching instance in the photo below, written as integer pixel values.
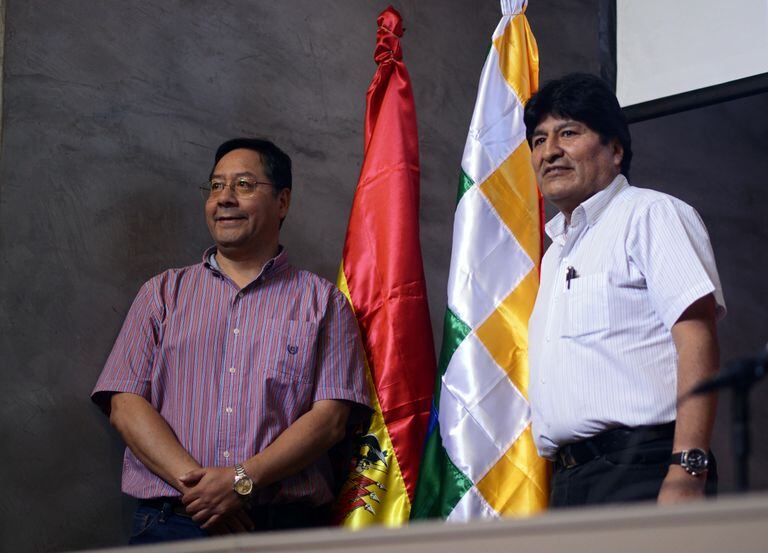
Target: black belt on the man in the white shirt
(610, 441)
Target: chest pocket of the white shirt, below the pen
(585, 306)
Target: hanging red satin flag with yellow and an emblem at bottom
(383, 278)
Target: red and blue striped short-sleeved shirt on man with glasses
(231, 369)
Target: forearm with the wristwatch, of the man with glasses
(302, 443)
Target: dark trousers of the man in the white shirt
(622, 471)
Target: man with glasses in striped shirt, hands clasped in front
(231, 379)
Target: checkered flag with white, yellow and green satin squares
(480, 460)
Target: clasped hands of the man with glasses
(212, 502)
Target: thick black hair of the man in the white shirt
(584, 98)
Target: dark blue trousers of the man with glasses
(160, 520)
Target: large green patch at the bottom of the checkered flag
(441, 485)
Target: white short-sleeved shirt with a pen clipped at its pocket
(600, 350)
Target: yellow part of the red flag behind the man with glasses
(393, 507)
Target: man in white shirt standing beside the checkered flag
(624, 321)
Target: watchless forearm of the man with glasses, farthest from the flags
(150, 438)
